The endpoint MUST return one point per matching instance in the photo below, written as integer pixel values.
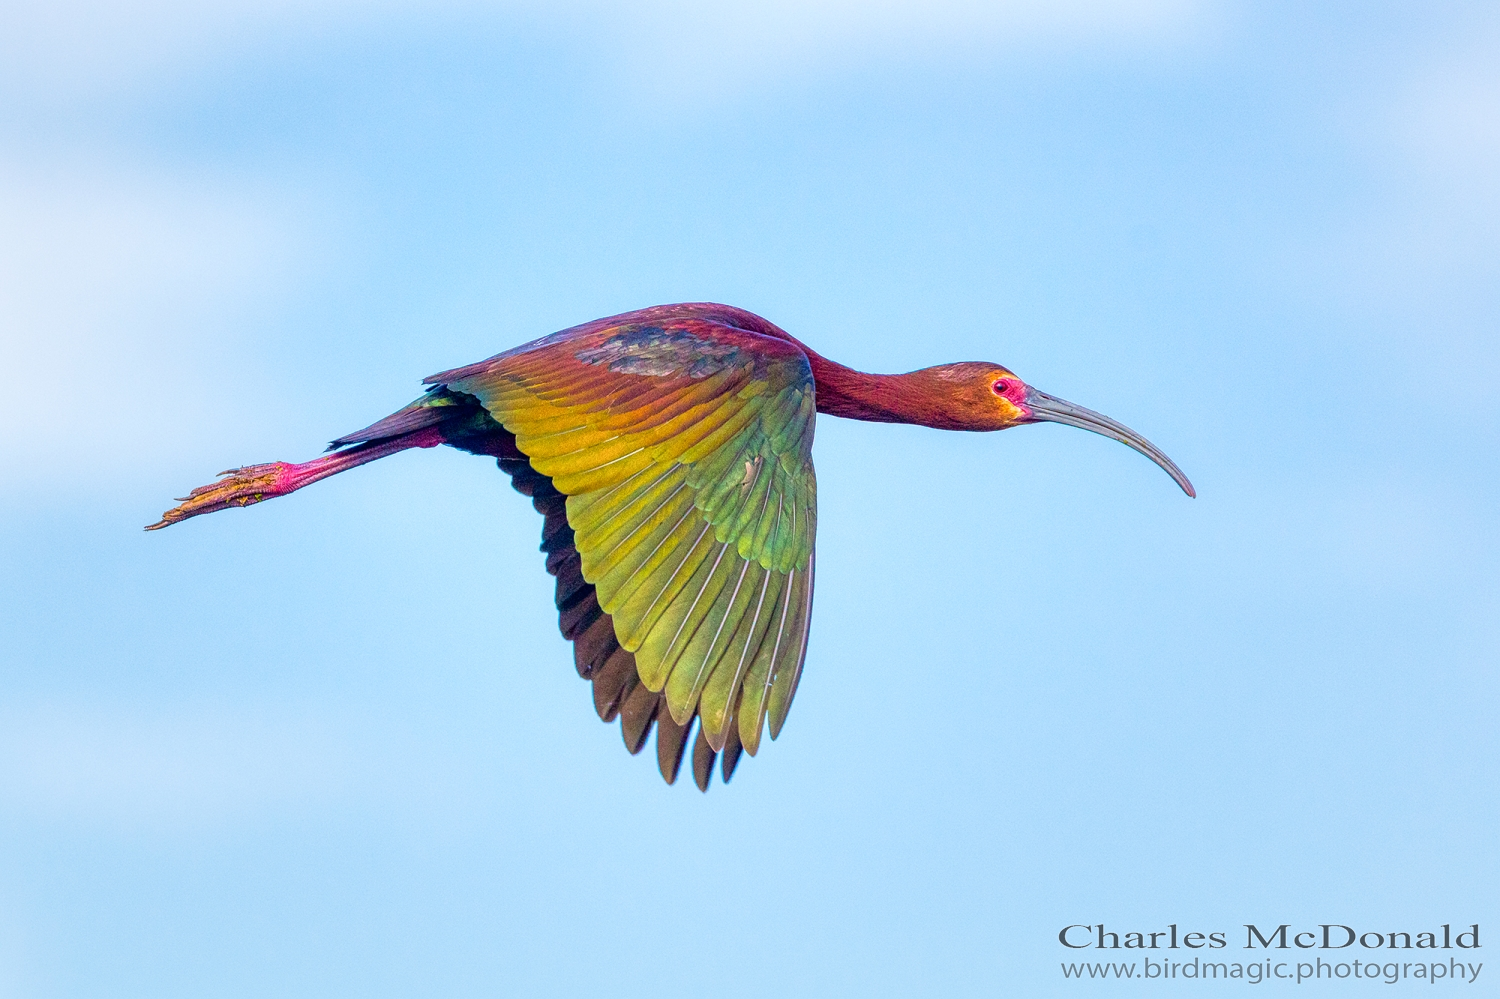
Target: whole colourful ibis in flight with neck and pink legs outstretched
(670, 454)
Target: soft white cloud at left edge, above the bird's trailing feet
(119, 287)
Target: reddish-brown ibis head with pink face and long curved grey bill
(988, 397)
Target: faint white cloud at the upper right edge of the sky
(1423, 253)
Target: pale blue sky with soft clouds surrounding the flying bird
(334, 745)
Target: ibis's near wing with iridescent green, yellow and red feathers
(685, 454)
